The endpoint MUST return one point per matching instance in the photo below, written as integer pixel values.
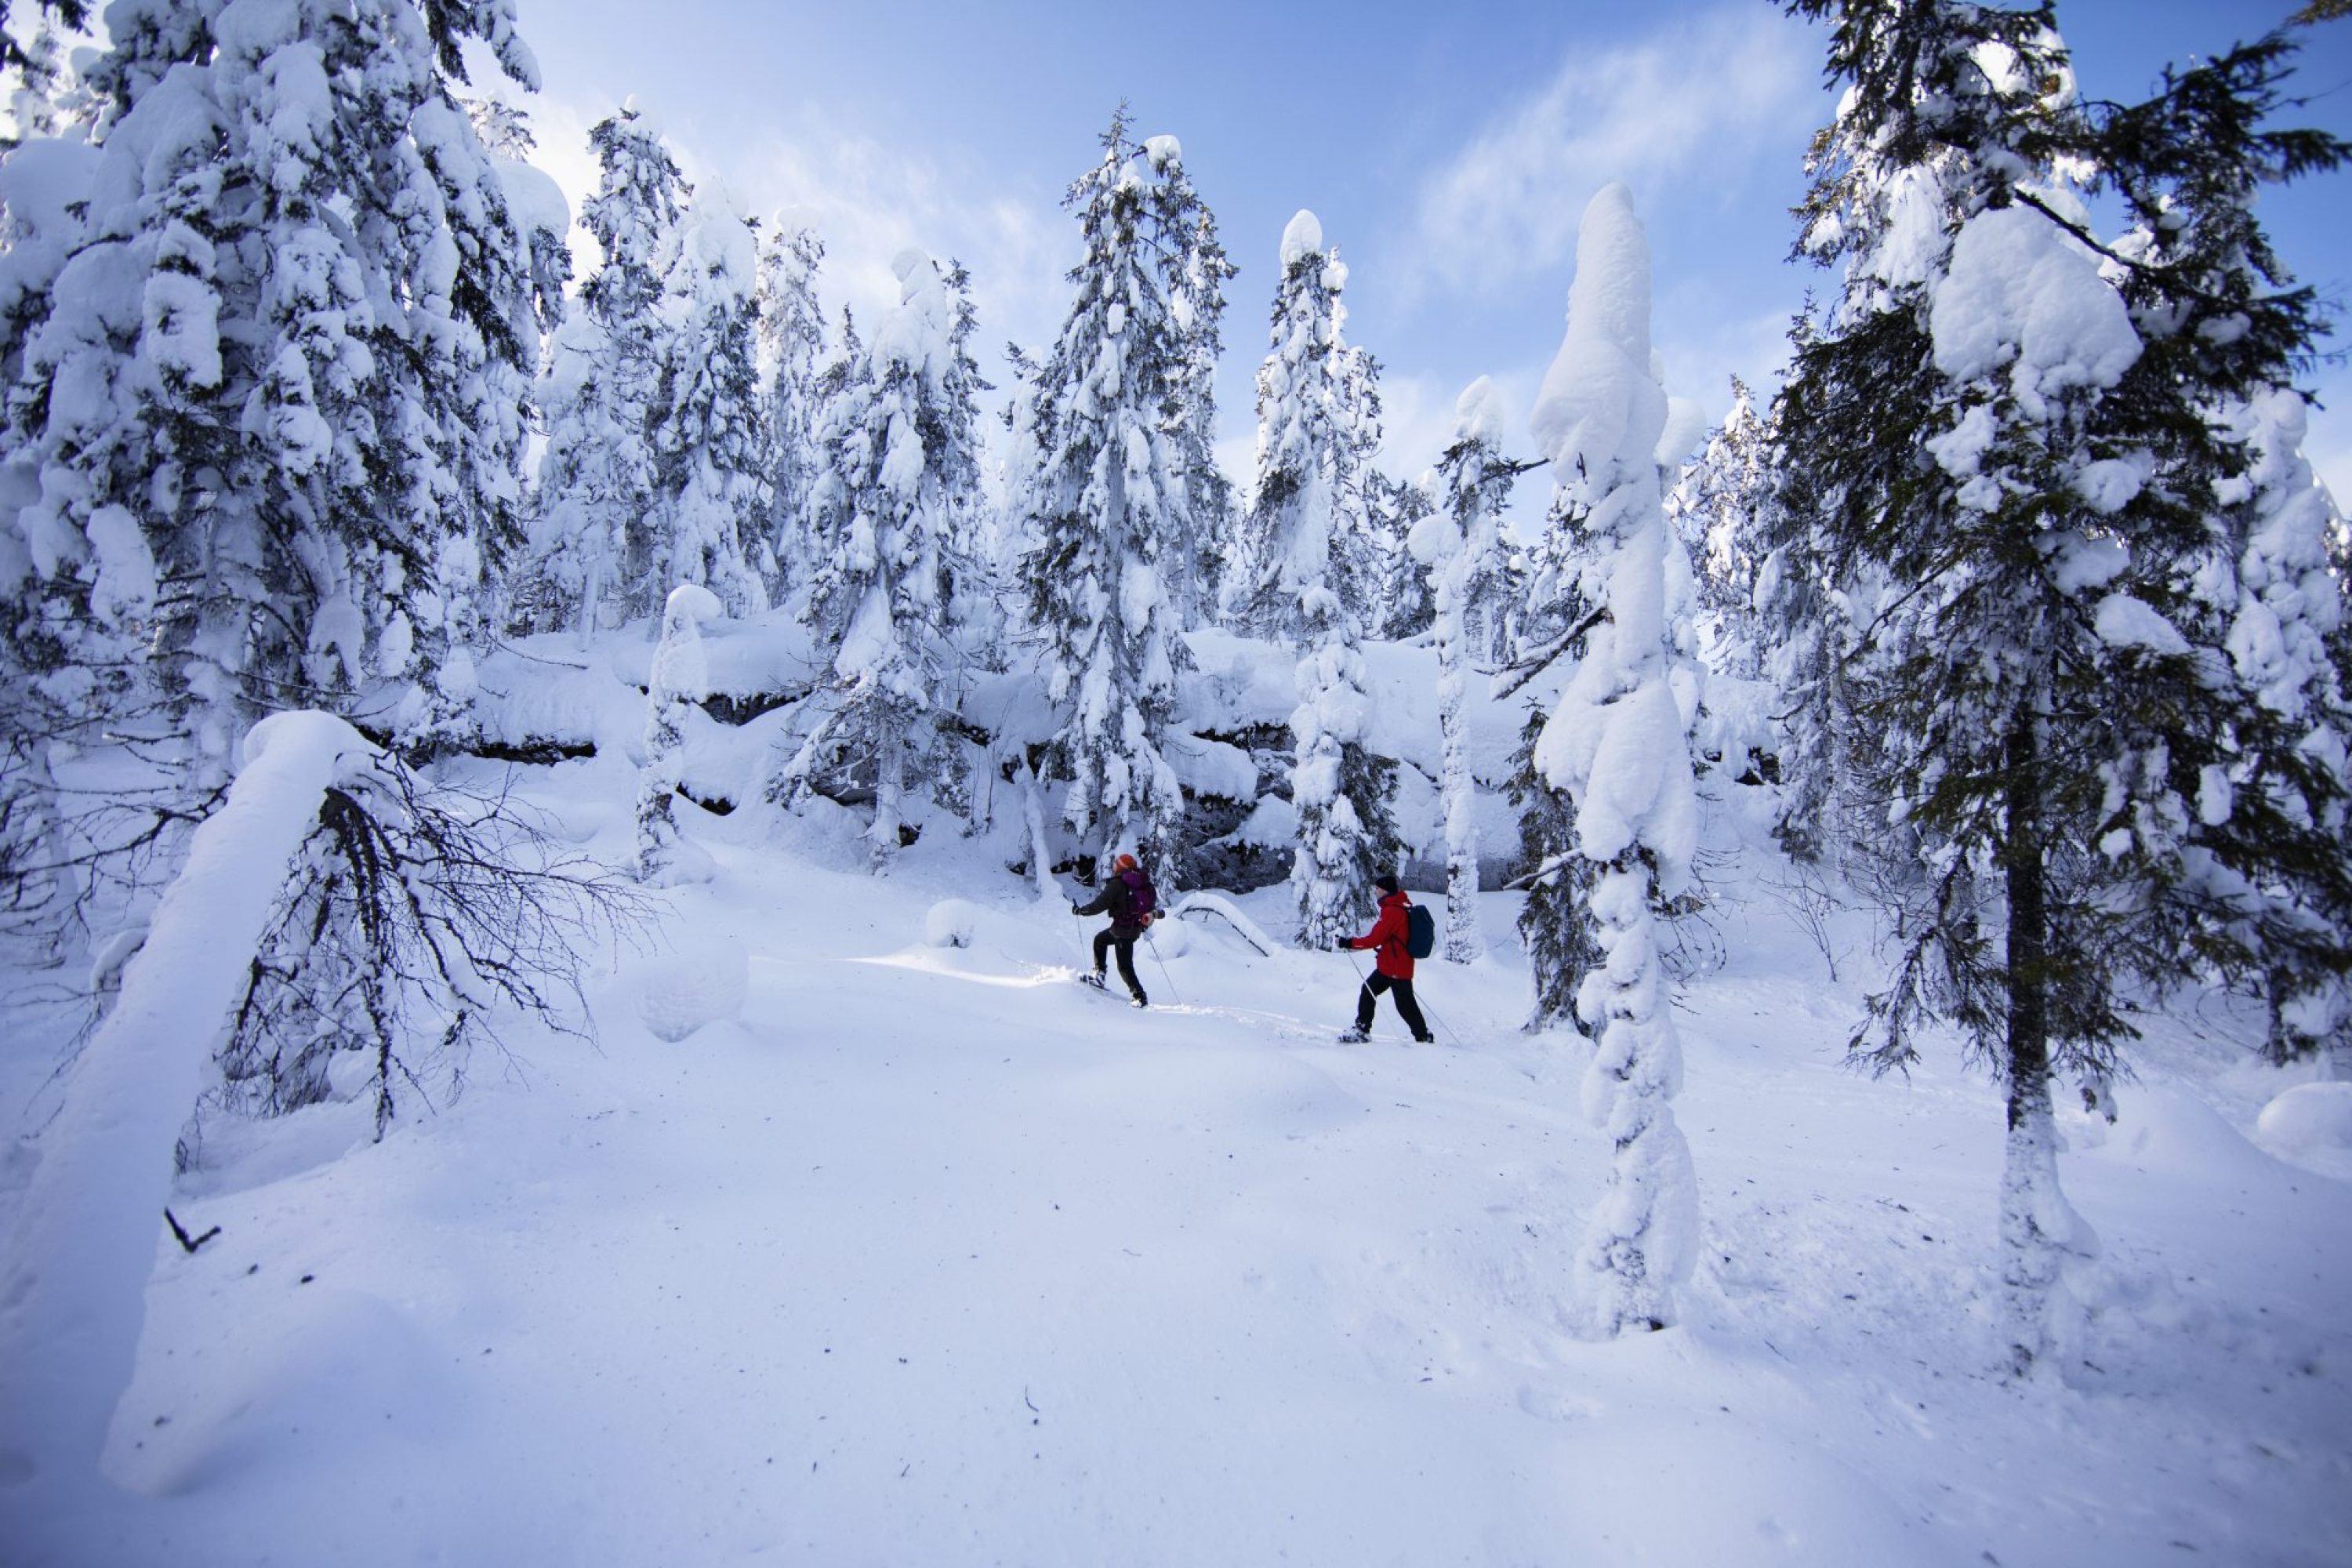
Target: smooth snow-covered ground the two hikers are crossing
(930, 1257)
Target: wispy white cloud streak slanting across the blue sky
(1702, 100)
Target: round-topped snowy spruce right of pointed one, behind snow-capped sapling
(709, 521)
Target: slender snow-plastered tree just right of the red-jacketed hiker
(1464, 551)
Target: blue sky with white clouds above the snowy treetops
(1445, 149)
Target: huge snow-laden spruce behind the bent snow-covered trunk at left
(279, 391)
